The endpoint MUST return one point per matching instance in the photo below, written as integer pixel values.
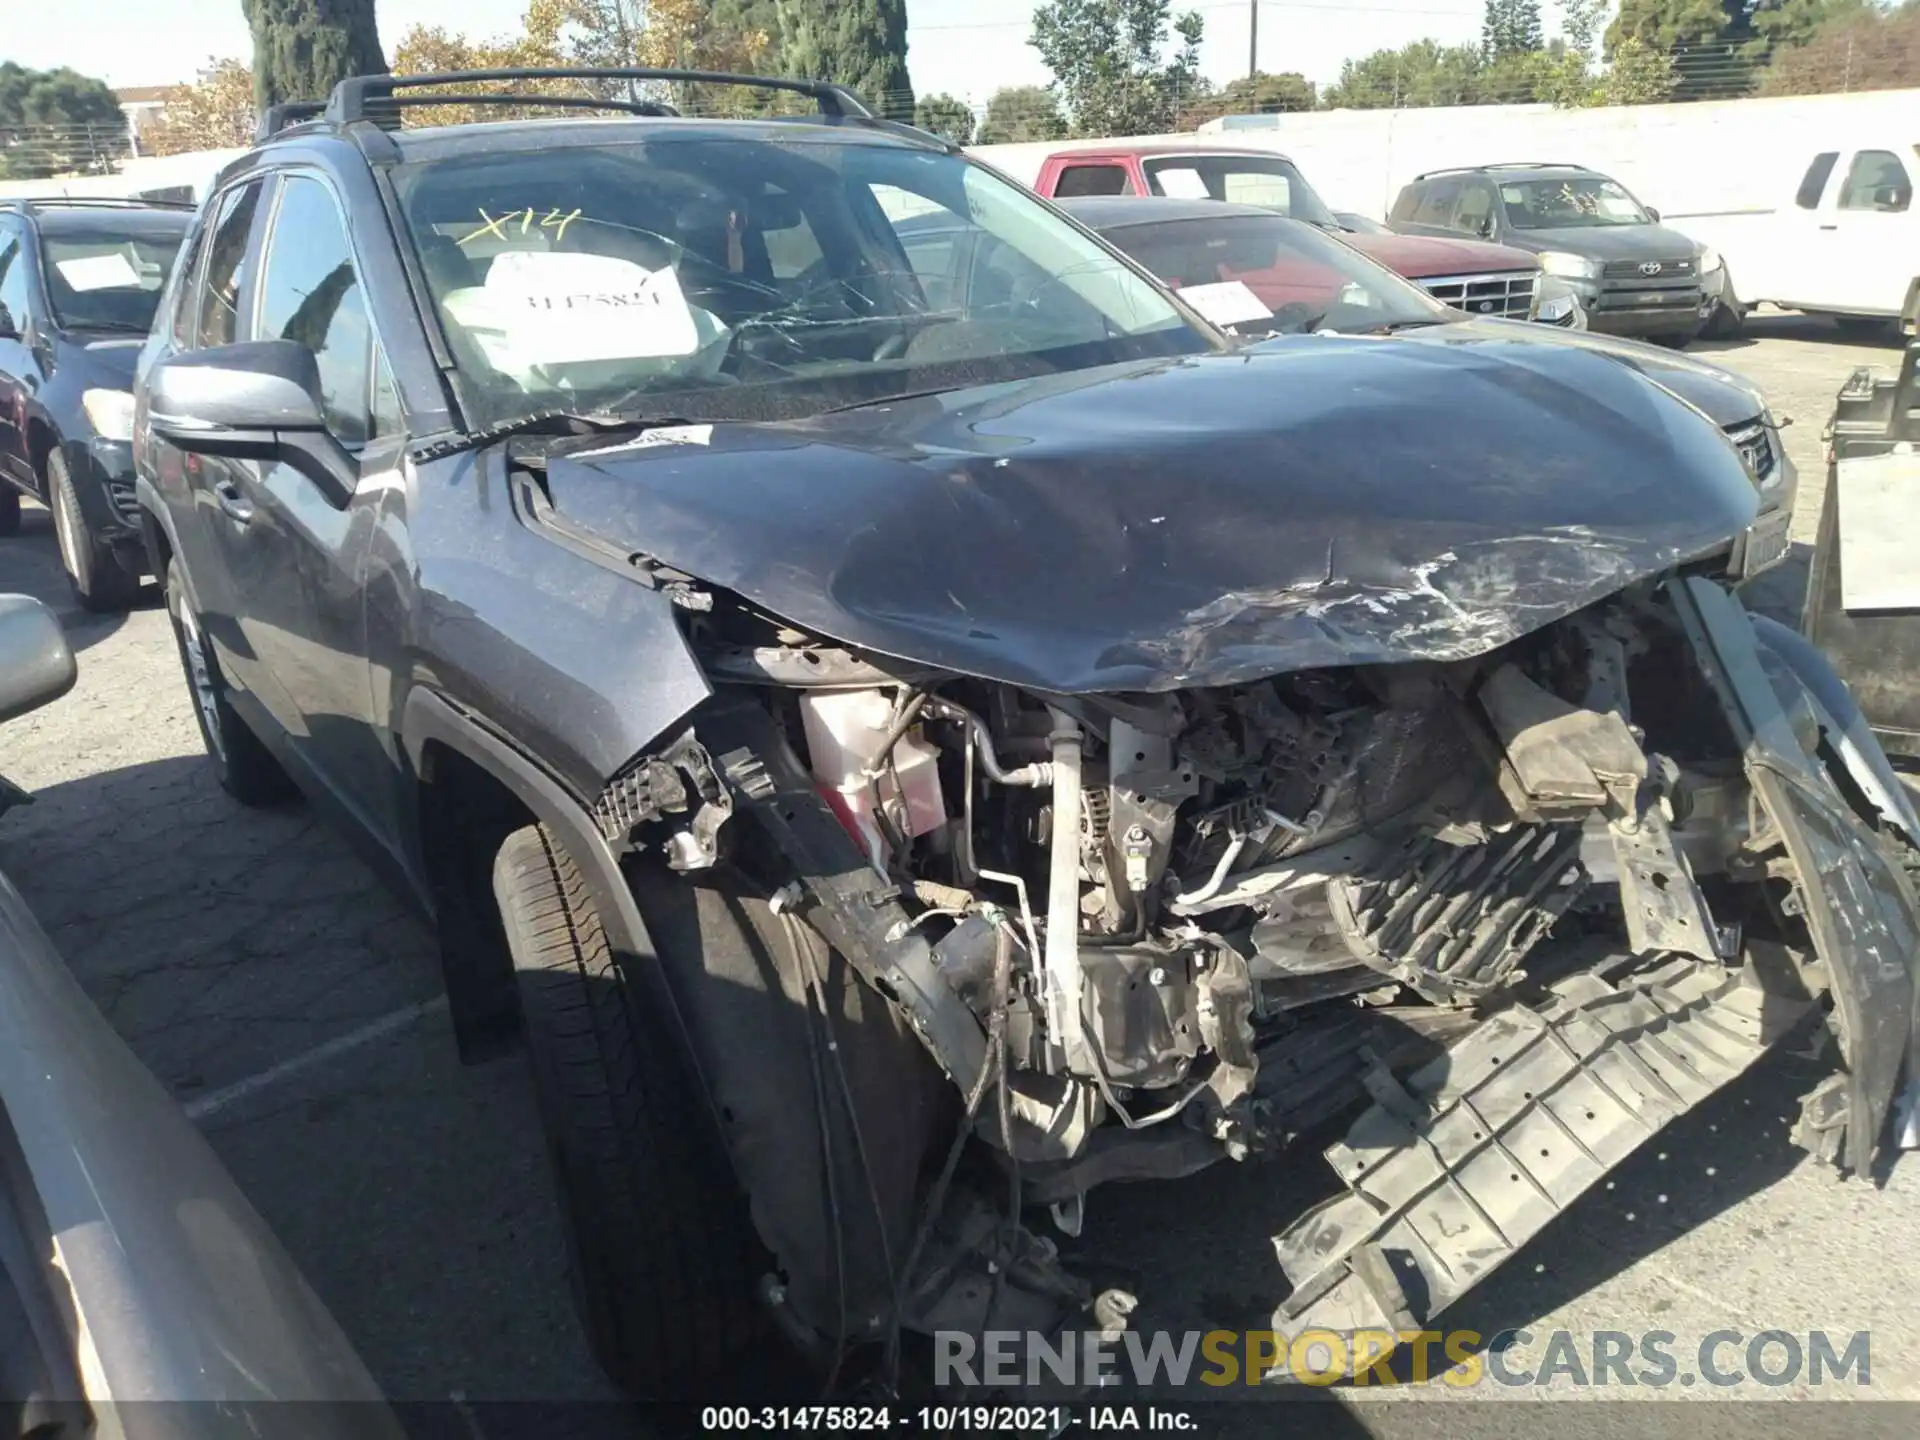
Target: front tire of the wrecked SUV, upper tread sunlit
(661, 1247)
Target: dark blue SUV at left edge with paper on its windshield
(80, 281)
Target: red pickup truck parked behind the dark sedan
(1470, 276)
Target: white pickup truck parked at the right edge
(1846, 243)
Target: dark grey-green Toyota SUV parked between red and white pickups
(1633, 276)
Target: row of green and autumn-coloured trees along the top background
(1118, 66)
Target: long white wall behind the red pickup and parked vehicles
(1702, 158)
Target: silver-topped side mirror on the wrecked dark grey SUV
(258, 400)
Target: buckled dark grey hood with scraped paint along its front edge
(1303, 504)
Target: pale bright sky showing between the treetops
(963, 47)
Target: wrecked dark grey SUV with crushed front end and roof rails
(911, 750)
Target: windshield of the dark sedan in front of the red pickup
(1301, 277)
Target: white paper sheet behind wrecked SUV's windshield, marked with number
(571, 308)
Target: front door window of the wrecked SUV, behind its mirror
(312, 295)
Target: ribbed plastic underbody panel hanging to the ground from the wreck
(1497, 1138)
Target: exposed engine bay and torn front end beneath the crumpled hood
(1174, 928)
